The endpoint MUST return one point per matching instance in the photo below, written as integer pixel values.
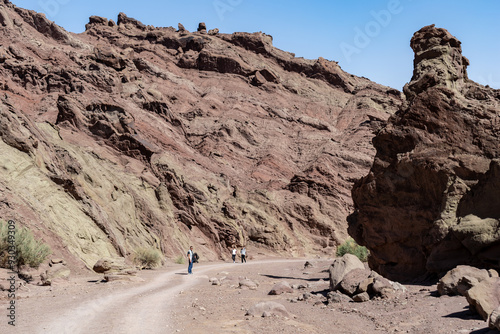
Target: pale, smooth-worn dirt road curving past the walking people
(141, 309)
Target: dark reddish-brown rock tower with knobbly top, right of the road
(431, 200)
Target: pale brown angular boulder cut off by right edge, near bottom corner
(484, 297)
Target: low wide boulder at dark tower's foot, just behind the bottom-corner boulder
(460, 279)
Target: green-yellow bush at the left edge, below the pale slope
(24, 248)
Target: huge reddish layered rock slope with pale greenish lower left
(129, 136)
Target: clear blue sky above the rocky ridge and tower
(367, 38)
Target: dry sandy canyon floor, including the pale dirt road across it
(169, 301)
